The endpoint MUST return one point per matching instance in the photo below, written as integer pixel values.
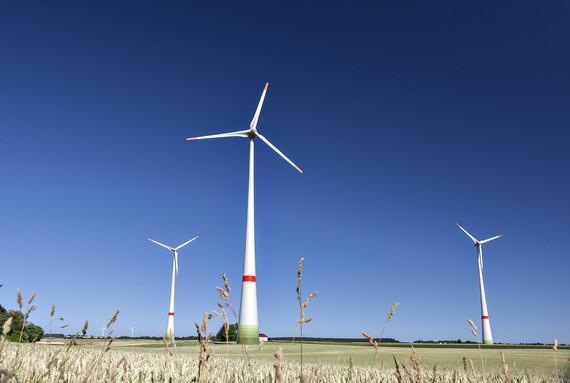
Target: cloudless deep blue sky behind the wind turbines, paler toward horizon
(406, 116)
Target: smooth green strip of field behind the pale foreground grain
(519, 358)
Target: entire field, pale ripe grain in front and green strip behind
(146, 361)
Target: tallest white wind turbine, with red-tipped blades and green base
(248, 330)
